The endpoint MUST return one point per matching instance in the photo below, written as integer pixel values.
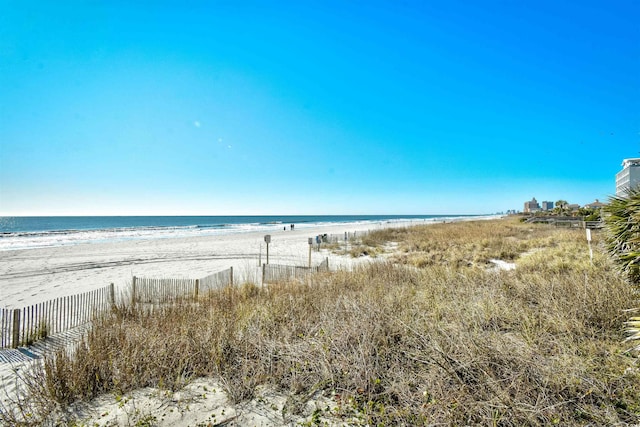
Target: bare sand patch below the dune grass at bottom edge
(203, 402)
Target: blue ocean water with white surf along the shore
(38, 232)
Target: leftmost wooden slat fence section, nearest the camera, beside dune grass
(23, 326)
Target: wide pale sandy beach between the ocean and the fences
(31, 276)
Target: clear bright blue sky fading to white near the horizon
(314, 107)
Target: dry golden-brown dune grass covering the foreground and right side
(428, 336)
